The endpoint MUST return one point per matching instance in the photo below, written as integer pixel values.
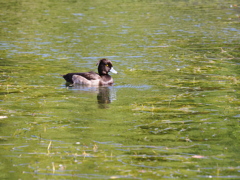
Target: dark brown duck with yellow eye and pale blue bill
(91, 78)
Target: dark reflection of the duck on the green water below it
(105, 94)
